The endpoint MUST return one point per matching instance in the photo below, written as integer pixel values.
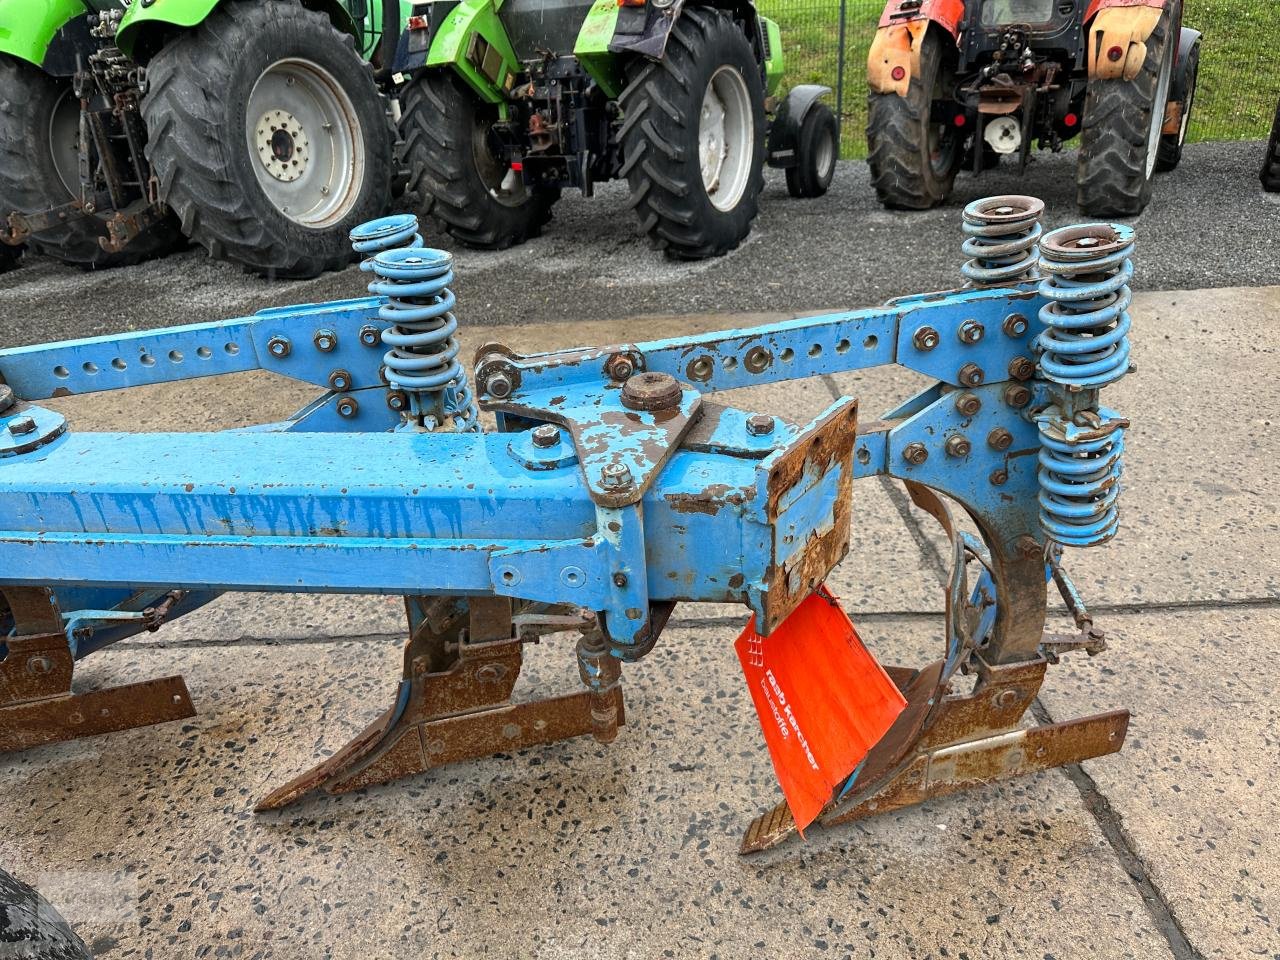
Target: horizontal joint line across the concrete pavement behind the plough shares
(735, 623)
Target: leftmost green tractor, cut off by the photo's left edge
(258, 129)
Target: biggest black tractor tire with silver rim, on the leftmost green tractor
(280, 193)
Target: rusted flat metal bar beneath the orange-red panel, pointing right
(977, 762)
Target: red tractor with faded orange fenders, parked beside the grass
(959, 84)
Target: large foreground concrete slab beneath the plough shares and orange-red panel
(147, 839)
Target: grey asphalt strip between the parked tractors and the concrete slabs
(1209, 225)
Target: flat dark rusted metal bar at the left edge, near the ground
(62, 719)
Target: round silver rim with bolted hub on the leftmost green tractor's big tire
(305, 143)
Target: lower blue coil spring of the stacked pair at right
(1080, 477)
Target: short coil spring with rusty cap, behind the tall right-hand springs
(1002, 240)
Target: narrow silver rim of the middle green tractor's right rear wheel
(726, 131)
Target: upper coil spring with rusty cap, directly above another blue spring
(1086, 339)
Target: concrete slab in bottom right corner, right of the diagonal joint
(1195, 785)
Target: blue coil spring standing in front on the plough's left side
(423, 358)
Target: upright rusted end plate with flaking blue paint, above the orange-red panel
(796, 574)
